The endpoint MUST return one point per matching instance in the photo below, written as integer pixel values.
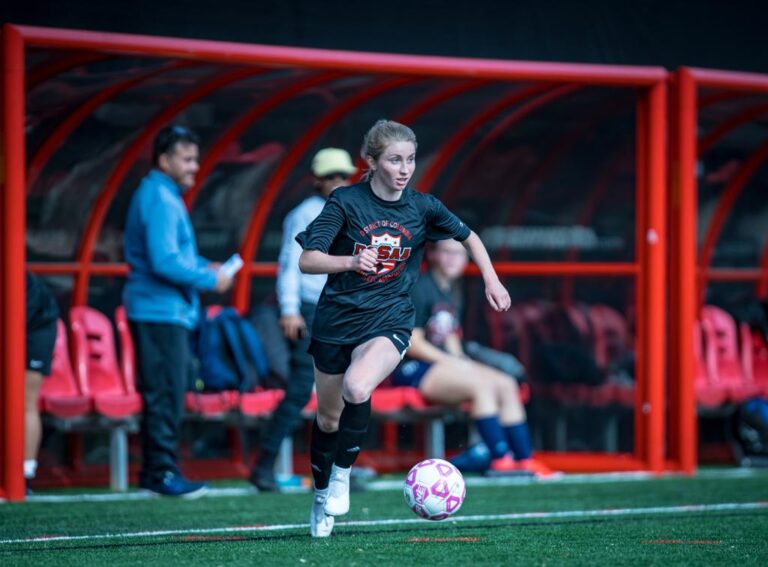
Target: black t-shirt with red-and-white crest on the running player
(353, 306)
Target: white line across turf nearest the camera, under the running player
(610, 512)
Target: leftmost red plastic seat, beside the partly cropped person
(61, 394)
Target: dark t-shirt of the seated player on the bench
(438, 311)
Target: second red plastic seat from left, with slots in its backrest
(97, 367)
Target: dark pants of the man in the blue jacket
(162, 356)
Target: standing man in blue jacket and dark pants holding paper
(162, 304)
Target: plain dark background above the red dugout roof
(708, 33)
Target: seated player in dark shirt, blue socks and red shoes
(437, 365)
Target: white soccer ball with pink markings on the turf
(434, 489)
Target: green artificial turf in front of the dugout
(676, 538)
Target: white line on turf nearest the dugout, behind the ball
(397, 484)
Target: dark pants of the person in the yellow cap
(297, 392)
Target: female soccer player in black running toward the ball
(370, 239)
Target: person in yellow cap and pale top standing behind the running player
(298, 295)
